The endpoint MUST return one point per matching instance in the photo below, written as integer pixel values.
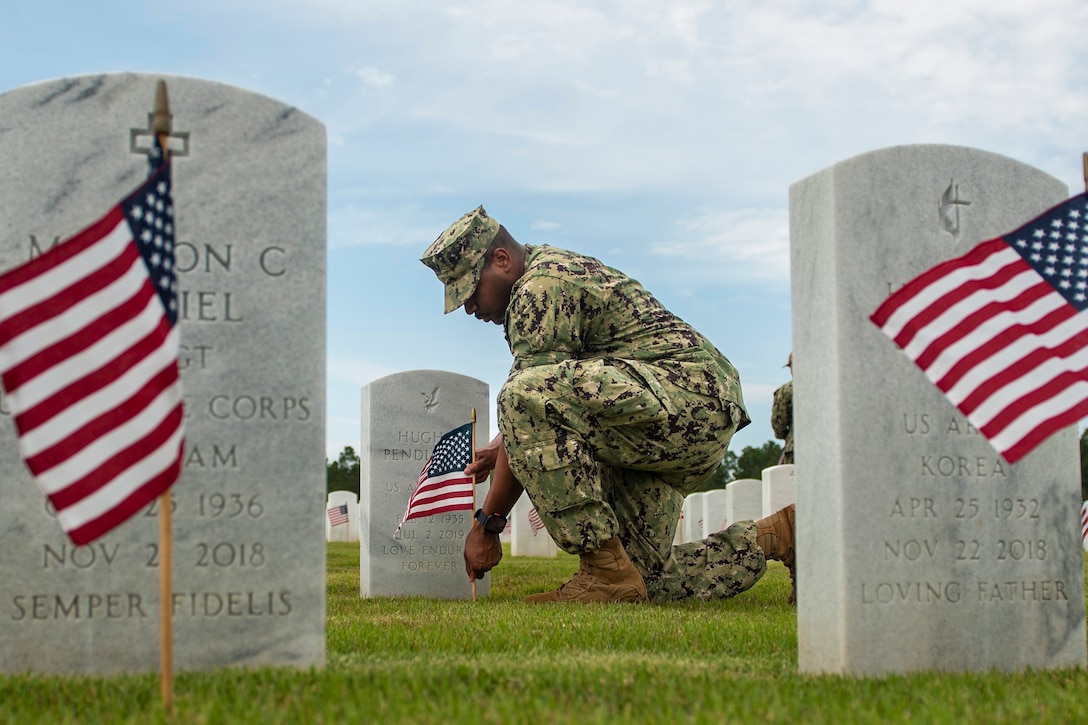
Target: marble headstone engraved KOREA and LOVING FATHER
(920, 548)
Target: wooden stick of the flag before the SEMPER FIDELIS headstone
(162, 126)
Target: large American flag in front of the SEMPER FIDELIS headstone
(89, 358)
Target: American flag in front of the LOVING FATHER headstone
(1002, 330)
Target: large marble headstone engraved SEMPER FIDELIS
(249, 546)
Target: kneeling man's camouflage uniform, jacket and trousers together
(615, 410)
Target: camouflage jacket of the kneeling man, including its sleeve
(566, 306)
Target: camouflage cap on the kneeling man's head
(458, 255)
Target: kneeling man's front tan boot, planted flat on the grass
(607, 575)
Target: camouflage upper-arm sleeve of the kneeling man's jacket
(548, 322)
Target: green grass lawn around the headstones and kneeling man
(499, 660)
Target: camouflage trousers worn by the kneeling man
(603, 452)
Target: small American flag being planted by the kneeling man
(443, 486)
